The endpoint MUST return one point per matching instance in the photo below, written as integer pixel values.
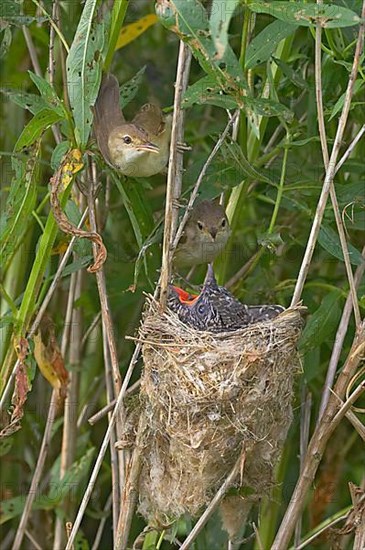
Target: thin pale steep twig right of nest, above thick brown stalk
(339, 340)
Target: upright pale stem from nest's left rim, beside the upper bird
(174, 175)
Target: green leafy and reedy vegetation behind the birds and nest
(271, 174)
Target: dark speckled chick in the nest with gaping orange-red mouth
(215, 309)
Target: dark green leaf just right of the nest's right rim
(322, 323)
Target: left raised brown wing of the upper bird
(107, 113)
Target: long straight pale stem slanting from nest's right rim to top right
(331, 168)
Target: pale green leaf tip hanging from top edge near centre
(221, 14)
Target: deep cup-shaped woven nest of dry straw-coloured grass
(205, 397)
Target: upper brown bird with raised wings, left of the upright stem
(139, 148)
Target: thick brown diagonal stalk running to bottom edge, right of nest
(318, 442)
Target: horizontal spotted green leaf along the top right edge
(300, 13)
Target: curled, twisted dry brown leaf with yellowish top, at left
(70, 165)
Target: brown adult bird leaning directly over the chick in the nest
(205, 235)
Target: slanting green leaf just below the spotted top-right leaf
(266, 42)
